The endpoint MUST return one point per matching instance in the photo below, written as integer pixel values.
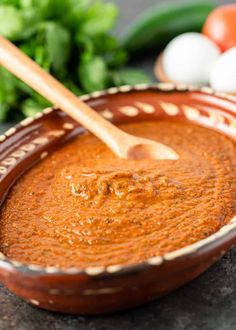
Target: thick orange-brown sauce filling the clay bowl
(83, 207)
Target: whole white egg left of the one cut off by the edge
(189, 58)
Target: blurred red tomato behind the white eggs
(220, 26)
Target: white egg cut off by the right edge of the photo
(223, 75)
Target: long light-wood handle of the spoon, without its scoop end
(34, 76)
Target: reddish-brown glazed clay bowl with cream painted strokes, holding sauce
(102, 290)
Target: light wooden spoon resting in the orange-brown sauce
(122, 144)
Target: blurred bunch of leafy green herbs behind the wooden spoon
(71, 39)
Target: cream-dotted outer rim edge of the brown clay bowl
(179, 254)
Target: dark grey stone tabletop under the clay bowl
(207, 303)
